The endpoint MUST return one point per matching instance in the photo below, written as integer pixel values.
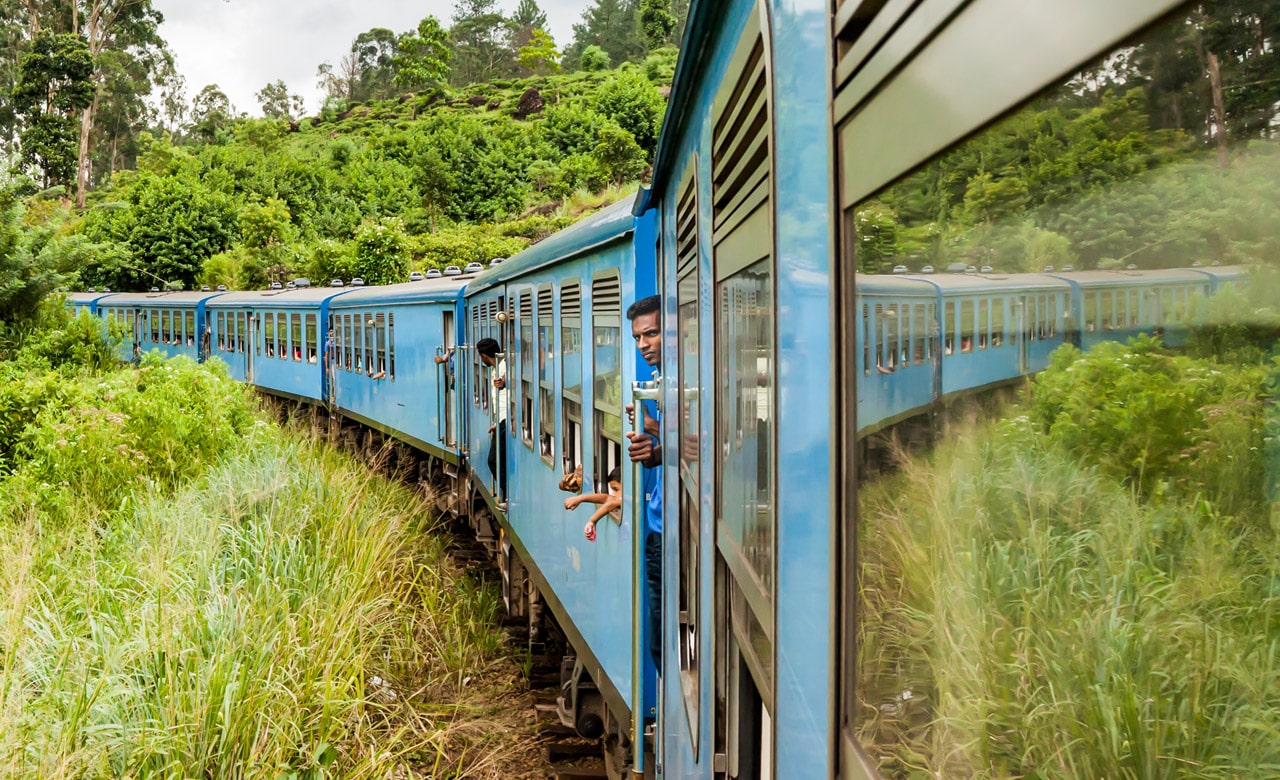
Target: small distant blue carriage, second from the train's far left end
(175, 323)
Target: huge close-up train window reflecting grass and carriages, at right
(962, 614)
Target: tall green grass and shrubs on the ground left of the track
(282, 612)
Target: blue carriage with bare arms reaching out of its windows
(557, 311)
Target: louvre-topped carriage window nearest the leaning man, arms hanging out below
(607, 376)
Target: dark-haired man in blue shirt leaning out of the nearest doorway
(646, 449)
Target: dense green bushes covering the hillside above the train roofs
(445, 183)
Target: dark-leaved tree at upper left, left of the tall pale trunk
(54, 85)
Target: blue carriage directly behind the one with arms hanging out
(383, 371)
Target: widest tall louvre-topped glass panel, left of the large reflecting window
(744, 528)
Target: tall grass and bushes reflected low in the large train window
(1026, 617)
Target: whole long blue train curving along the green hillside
(787, 124)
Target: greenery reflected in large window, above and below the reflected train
(1090, 585)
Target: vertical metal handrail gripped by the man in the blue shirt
(641, 393)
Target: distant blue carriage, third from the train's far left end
(272, 339)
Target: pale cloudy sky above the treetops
(243, 45)
